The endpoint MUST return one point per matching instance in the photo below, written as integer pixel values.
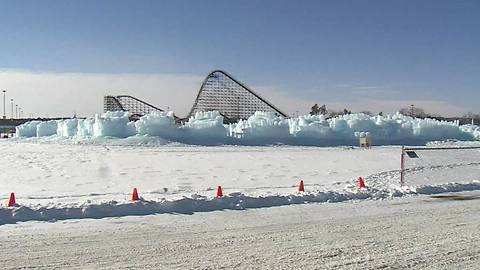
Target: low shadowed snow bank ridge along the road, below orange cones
(197, 203)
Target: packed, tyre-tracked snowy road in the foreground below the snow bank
(419, 232)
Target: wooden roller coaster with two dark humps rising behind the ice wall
(218, 92)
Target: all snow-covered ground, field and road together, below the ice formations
(74, 210)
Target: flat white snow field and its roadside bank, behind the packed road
(63, 181)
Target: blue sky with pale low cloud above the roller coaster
(373, 55)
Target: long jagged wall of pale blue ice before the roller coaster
(262, 128)
